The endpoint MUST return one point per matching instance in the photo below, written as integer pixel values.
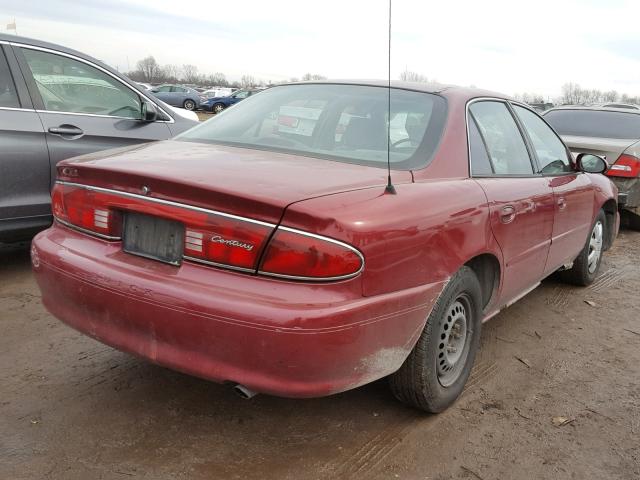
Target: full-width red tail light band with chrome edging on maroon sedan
(213, 238)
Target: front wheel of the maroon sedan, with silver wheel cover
(587, 265)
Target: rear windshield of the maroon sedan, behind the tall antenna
(346, 123)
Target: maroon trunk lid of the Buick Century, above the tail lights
(251, 183)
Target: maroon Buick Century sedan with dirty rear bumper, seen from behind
(262, 249)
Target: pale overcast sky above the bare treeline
(508, 46)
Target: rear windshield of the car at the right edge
(595, 123)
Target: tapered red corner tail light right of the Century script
(297, 255)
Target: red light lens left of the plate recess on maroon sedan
(85, 209)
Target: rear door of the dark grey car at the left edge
(24, 159)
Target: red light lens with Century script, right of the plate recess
(224, 241)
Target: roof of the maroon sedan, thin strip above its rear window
(437, 88)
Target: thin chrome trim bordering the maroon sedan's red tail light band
(230, 216)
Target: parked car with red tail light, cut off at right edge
(613, 133)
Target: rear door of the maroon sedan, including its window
(521, 202)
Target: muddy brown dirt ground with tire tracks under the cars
(72, 408)
